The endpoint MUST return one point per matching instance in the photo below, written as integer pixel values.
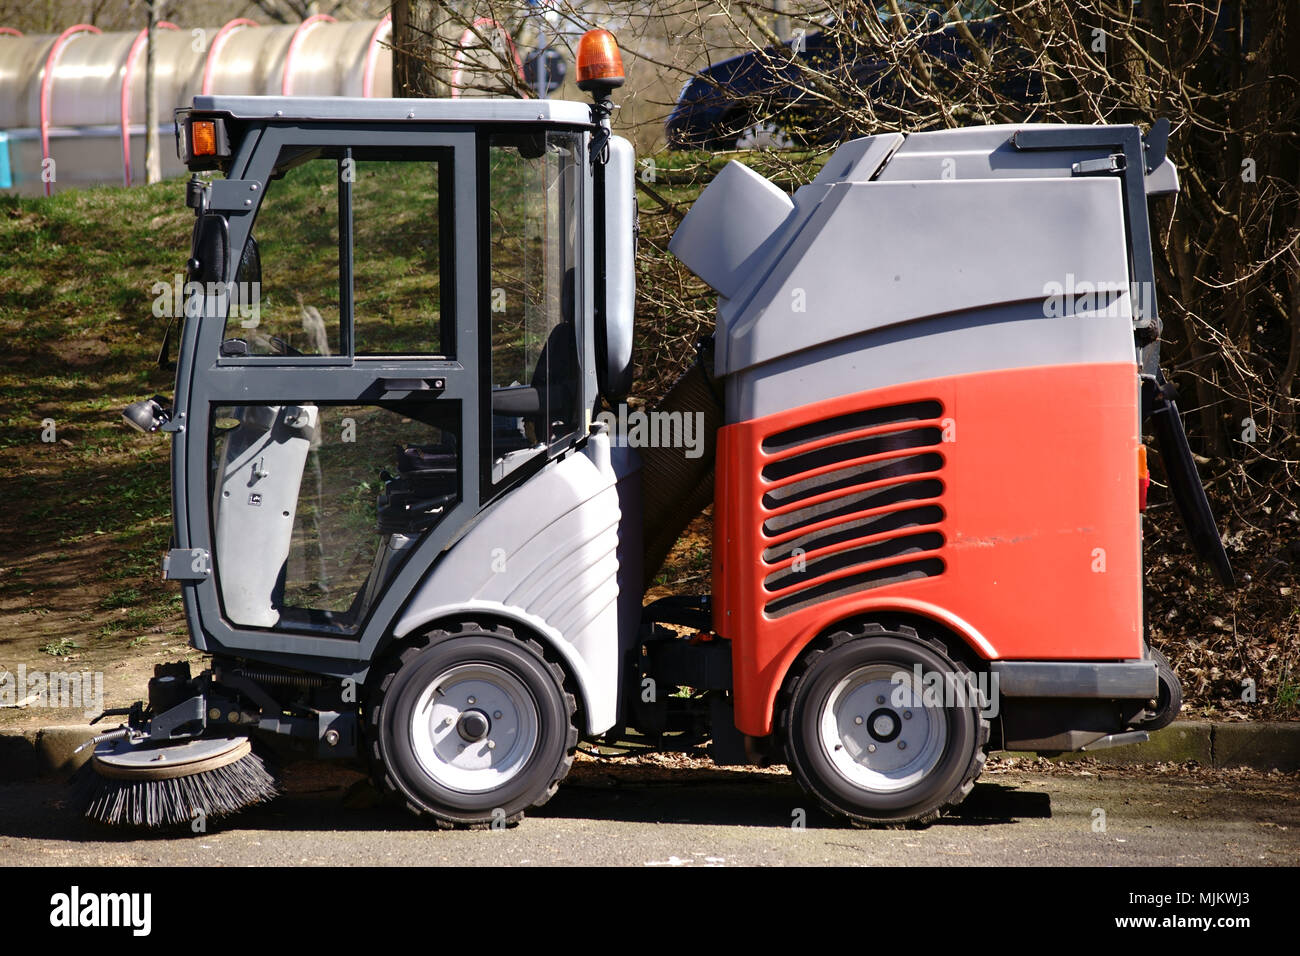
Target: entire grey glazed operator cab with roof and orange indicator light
(398, 305)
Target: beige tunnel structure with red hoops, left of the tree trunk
(72, 107)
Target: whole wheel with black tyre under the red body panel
(863, 737)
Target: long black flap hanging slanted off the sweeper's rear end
(1185, 483)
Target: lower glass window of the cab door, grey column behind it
(317, 507)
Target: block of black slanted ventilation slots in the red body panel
(879, 517)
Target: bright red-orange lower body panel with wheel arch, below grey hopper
(1041, 550)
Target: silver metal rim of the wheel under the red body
(878, 733)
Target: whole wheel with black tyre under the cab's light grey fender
(471, 726)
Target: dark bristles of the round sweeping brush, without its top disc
(213, 794)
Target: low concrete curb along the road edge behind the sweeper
(1256, 746)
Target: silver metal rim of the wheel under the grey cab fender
(475, 728)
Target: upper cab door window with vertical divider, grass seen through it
(356, 252)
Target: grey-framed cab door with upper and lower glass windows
(330, 440)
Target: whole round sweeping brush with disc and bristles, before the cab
(138, 784)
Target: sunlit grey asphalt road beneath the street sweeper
(666, 816)
